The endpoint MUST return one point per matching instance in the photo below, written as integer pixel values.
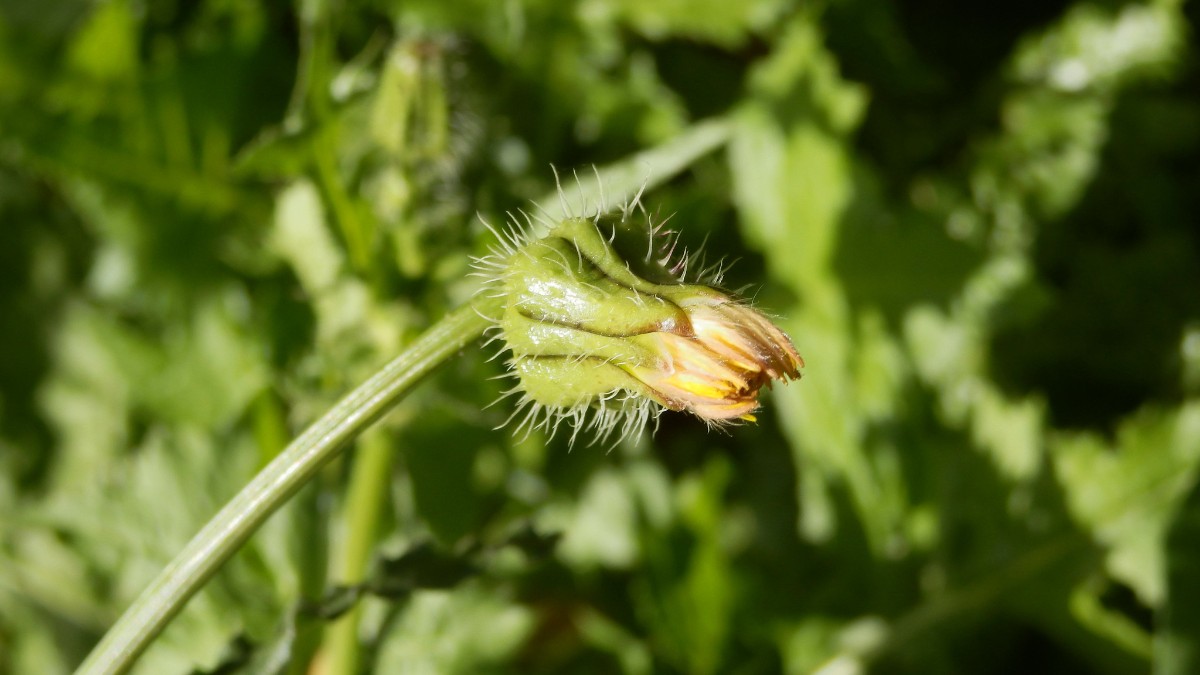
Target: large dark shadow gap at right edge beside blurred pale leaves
(1119, 278)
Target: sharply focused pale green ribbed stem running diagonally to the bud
(274, 486)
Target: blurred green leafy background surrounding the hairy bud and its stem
(980, 223)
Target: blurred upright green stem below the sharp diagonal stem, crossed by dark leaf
(370, 479)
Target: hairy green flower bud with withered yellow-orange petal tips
(605, 333)
